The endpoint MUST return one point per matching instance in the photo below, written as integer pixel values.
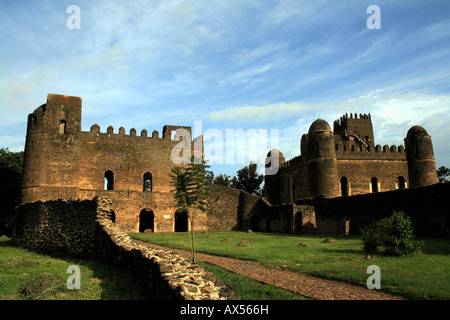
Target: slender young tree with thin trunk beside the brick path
(190, 192)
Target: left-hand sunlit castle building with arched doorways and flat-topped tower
(63, 162)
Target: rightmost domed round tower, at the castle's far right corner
(420, 157)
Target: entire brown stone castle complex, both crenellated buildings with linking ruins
(63, 162)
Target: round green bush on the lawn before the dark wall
(394, 233)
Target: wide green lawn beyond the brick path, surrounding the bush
(423, 276)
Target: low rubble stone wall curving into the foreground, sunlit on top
(84, 228)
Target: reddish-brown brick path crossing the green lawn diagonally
(298, 283)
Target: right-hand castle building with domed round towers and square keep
(346, 162)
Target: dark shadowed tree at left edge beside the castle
(10, 182)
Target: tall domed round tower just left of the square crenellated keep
(322, 162)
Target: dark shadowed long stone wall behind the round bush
(426, 206)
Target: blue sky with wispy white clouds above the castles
(244, 64)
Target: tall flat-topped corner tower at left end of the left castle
(51, 148)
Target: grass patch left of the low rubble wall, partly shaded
(20, 267)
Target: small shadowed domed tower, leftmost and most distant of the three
(272, 190)
